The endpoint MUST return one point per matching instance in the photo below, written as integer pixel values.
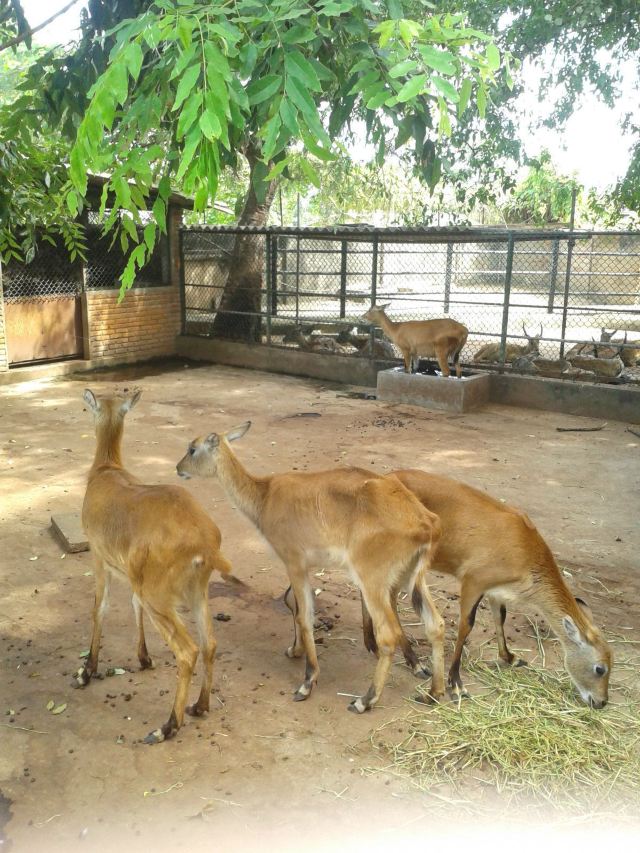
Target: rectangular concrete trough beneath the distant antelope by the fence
(447, 394)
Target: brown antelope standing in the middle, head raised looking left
(371, 525)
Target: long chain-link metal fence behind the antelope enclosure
(504, 285)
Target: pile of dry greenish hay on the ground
(525, 737)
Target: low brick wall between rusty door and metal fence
(143, 325)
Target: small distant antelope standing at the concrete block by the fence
(428, 338)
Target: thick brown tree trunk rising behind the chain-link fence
(239, 309)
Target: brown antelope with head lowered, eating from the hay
(495, 551)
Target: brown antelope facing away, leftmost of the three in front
(160, 540)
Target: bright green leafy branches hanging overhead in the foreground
(190, 86)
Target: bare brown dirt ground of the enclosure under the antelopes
(259, 771)
